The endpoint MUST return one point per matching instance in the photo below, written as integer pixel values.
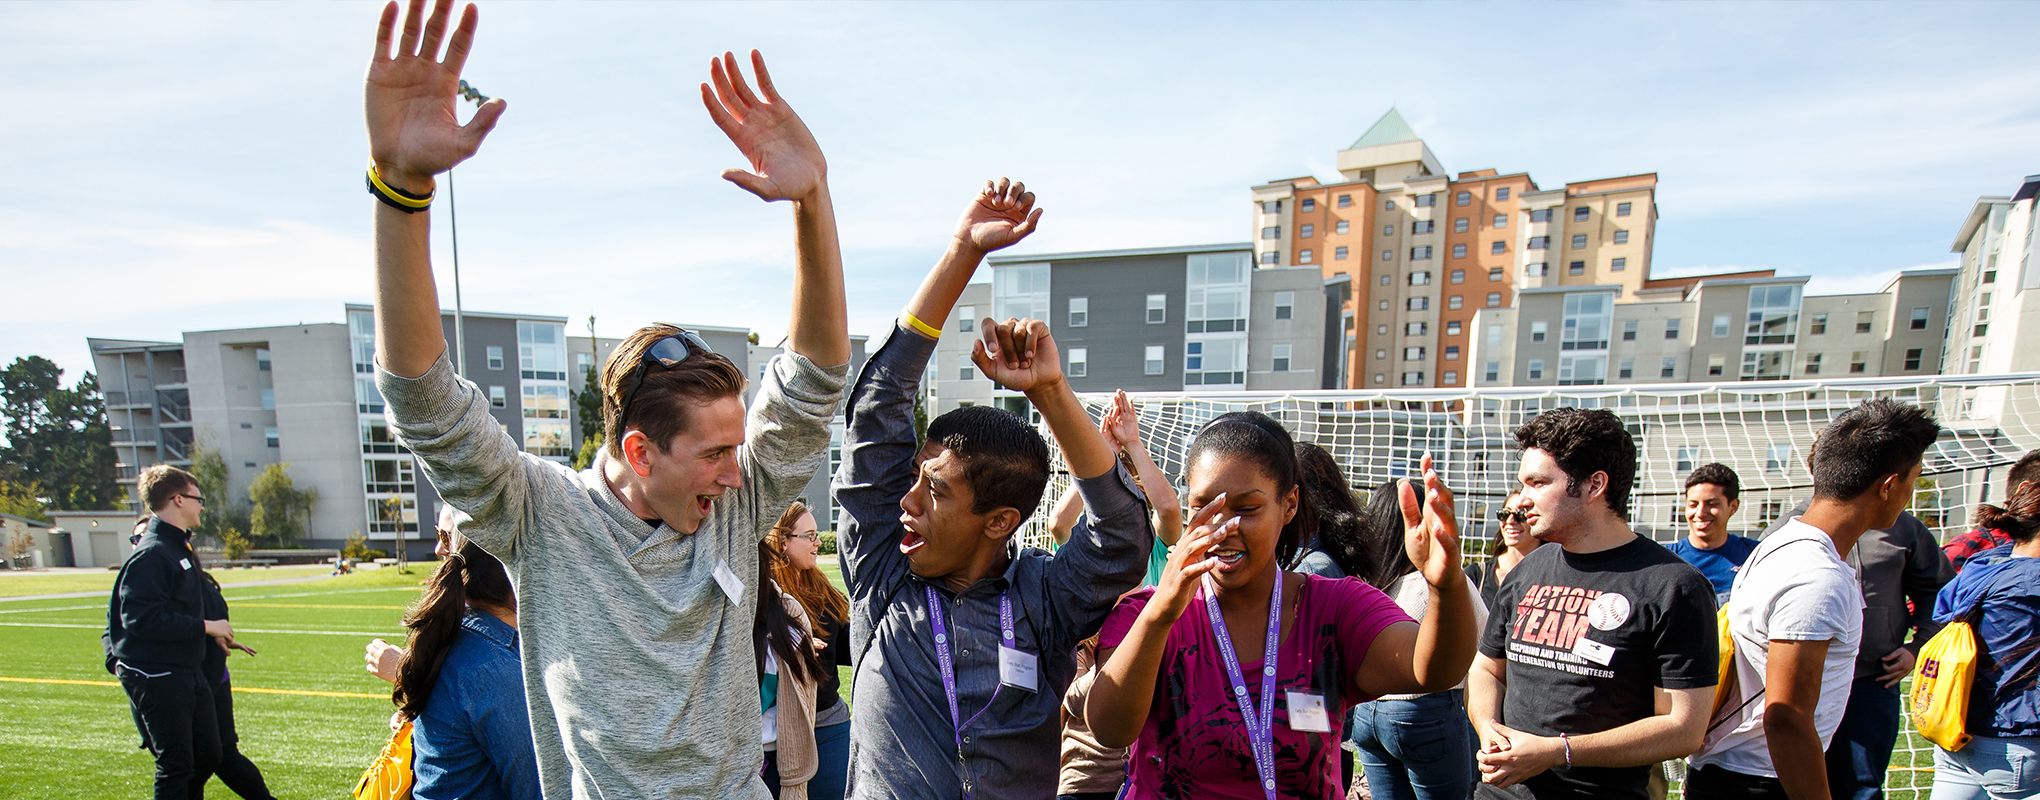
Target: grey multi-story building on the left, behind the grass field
(305, 395)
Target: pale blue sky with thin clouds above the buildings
(199, 166)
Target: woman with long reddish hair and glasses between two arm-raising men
(811, 632)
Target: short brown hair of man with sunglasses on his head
(666, 395)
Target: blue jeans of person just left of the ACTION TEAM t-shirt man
(1417, 750)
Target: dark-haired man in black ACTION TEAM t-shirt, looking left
(1600, 654)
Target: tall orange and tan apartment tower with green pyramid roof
(1439, 248)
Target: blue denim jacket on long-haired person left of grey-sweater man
(474, 736)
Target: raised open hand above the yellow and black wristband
(411, 97)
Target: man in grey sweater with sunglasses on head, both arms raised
(633, 577)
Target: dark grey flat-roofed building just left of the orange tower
(1160, 319)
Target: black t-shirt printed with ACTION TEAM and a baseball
(1588, 640)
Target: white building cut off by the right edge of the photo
(1996, 305)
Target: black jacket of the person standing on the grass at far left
(156, 617)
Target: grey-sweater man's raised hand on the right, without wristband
(786, 162)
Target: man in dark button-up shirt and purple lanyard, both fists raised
(966, 646)
